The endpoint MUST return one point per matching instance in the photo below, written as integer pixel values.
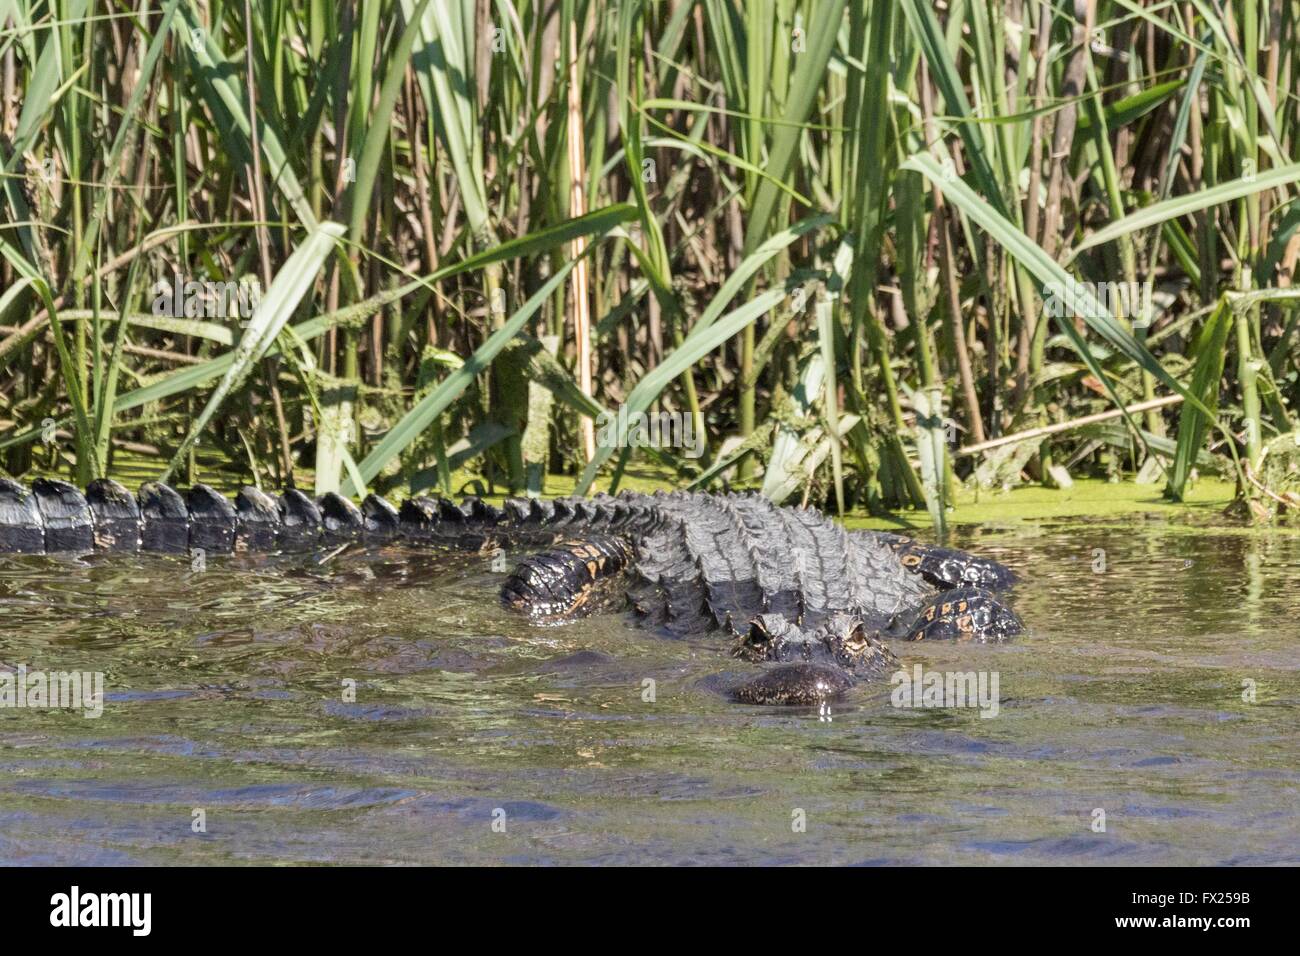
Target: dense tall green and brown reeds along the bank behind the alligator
(856, 249)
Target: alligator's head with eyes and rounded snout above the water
(813, 665)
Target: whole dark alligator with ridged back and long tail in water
(809, 600)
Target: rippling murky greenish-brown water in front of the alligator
(226, 706)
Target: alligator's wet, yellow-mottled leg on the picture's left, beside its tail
(560, 583)
